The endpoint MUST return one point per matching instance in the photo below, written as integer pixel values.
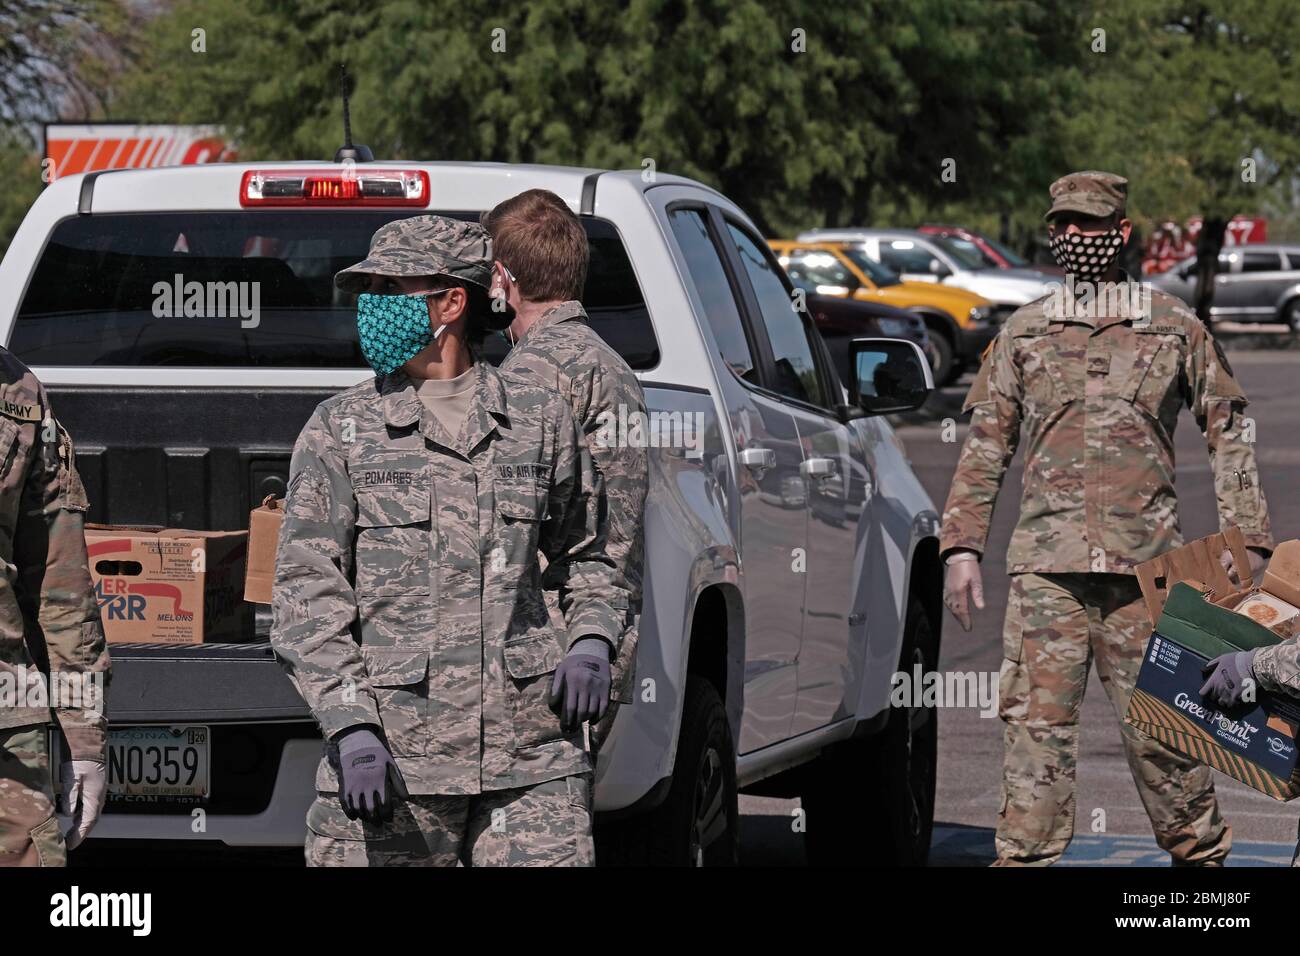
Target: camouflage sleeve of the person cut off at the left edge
(54, 586)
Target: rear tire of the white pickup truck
(699, 823)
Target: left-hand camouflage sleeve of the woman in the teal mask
(313, 600)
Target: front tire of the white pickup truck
(873, 802)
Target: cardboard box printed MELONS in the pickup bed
(170, 586)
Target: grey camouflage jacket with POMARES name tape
(409, 591)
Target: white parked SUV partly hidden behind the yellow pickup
(924, 258)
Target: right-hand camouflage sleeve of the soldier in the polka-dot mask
(1219, 405)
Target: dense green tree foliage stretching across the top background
(805, 114)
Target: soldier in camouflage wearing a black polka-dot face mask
(1098, 383)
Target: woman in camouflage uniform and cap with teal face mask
(409, 604)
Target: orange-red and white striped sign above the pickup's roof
(83, 149)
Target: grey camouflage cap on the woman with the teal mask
(424, 246)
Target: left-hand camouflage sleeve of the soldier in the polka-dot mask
(995, 432)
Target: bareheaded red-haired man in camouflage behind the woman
(541, 269)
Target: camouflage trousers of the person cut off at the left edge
(29, 829)
